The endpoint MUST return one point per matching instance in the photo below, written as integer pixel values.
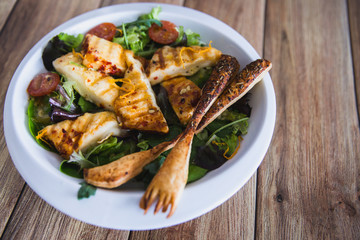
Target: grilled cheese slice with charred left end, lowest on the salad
(79, 134)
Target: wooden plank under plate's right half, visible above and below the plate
(235, 219)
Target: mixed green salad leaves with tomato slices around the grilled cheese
(55, 99)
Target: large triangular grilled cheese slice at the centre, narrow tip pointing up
(138, 108)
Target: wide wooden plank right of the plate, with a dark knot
(309, 181)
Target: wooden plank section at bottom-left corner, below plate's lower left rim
(33, 218)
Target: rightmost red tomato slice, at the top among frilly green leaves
(164, 35)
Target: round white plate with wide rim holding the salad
(120, 209)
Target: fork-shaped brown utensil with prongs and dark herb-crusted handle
(168, 184)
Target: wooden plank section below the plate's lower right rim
(232, 220)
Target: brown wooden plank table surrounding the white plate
(307, 187)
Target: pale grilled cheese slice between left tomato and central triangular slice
(94, 86)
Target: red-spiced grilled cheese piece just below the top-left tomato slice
(103, 55)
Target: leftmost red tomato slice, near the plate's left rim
(43, 84)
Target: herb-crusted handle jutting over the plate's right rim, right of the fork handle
(243, 82)
